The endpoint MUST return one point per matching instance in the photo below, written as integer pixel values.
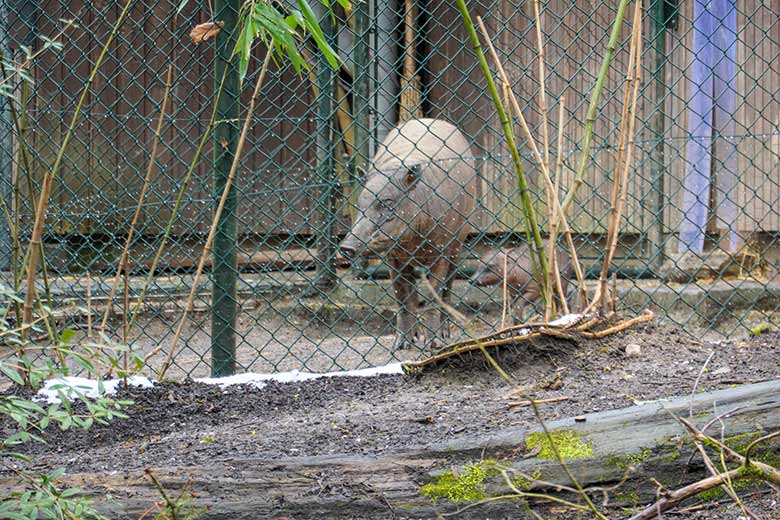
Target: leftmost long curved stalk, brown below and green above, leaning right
(48, 179)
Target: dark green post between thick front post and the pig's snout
(326, 150)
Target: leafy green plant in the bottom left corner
(25, 420)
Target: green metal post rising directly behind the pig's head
(360, 102)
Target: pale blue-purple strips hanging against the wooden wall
(712, 100)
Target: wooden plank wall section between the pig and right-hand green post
(576, 36)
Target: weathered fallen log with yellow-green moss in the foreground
(599, 450)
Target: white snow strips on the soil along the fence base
(89, 387)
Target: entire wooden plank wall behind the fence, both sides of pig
(104, 167)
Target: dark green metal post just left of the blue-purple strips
(657, 126)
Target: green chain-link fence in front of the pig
(703, 179)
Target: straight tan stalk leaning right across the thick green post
(217, 214)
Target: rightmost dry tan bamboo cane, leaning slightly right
(621, 174)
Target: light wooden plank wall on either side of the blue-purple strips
(757, 117)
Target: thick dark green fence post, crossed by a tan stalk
(224, 274)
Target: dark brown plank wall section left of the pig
(105, 165)
